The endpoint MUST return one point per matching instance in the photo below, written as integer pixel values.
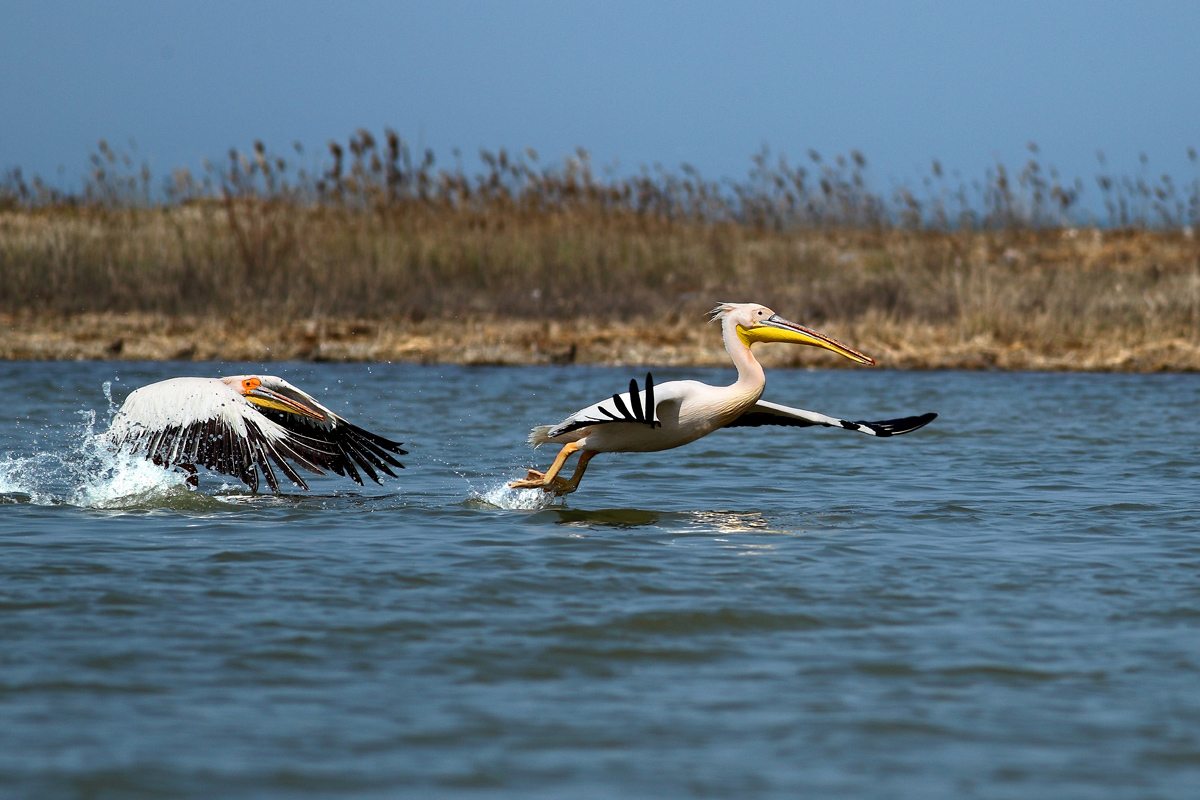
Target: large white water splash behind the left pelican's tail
(82, 471)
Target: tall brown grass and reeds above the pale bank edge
(377, 232)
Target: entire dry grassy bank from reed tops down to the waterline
(381, 258)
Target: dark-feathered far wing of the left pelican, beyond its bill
(349, 443)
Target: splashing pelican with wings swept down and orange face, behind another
(233, 425)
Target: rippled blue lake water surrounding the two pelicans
(1003, 605)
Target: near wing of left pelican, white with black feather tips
(205, 422)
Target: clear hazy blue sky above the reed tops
(635, 83)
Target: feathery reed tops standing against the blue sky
(1034, 191)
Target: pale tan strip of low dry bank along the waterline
(490, 340)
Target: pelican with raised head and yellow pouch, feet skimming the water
(673, 414)
